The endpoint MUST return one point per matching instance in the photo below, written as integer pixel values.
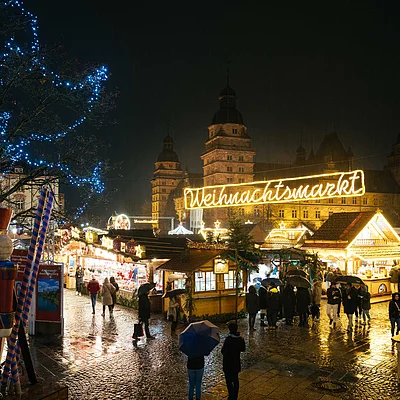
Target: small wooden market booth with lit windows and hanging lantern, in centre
(213, 280)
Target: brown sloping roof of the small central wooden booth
(190, 262)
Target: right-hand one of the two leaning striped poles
(35, 269)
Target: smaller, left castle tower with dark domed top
(167, 175)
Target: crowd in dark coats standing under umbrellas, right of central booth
(287, 302)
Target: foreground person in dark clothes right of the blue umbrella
(234, 344)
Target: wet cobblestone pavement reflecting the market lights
(96, 359)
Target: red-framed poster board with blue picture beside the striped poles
(49, 293)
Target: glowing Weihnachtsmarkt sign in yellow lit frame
(313, 187)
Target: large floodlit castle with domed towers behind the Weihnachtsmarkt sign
(229, 158)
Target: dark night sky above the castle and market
(298, 68)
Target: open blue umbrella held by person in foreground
(199, 339)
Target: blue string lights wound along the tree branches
(19, 149)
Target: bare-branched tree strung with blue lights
(45, 99)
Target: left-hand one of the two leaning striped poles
(11, 341)
